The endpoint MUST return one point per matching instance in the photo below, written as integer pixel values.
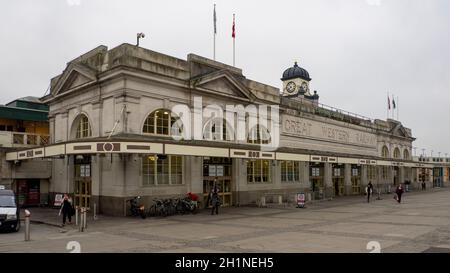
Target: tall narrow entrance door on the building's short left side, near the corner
(82, 188)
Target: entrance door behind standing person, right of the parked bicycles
(217, 172)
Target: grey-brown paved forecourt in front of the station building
(421, 223)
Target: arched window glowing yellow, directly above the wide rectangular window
(160, 122)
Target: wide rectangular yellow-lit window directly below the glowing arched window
(167, 170)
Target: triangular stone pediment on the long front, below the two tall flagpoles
(222, 82)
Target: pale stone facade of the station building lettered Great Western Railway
(117, 89)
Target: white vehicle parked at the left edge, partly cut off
(9, 211)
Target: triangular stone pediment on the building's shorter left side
(74, 76)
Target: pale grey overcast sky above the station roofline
(354, 50)
